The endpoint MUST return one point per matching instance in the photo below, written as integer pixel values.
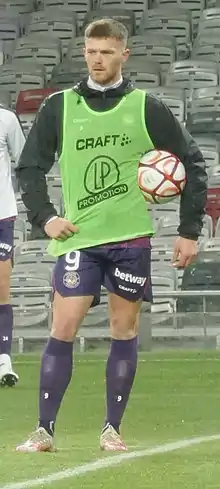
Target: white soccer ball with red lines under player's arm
(161, 176)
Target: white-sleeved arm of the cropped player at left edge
(15, 136)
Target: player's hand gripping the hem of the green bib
(60, 228)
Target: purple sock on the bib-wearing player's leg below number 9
(55, 375)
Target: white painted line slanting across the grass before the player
(105, 463)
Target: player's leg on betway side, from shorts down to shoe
(128, 279)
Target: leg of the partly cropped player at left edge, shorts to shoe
(7, 376)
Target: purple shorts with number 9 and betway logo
(124, 271)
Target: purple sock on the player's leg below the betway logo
(120, 373)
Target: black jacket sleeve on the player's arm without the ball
(37, 159)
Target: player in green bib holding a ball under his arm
(100, 128)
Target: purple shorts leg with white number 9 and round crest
(78, 274)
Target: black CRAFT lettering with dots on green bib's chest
(102, 141)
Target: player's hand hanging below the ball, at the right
(185, 252)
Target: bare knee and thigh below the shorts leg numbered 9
(68, 314)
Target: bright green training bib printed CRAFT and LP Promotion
(98, 165)
